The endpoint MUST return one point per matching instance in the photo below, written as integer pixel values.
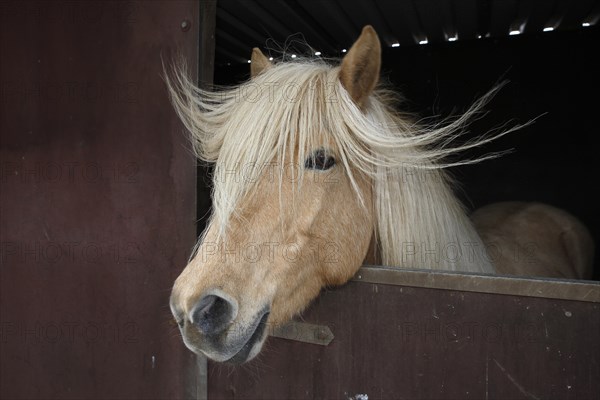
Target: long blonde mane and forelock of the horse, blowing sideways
(292, 108)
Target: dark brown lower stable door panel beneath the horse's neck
(399, 342)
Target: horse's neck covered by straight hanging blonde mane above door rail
(421, 224)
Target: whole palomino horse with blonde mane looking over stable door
(315, 172)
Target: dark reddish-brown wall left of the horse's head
(97, 199)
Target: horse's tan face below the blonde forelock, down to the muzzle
(282, 246)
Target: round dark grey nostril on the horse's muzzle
(212, 314)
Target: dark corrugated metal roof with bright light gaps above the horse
(330, 26)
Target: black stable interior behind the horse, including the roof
(550, 78)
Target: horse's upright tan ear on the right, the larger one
(360, 67)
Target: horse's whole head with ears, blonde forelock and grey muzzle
(292, 213)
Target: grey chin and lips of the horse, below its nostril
(239, 348)
